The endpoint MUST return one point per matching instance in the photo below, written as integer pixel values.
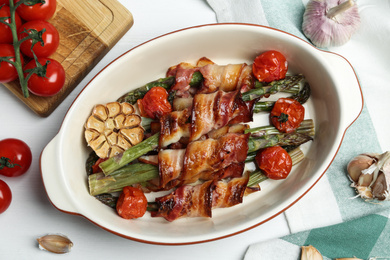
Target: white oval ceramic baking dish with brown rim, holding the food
(335, 104)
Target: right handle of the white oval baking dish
(348, 87)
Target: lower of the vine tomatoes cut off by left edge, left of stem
(8, 72)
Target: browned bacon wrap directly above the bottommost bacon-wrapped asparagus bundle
(204, 159)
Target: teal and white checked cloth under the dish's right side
(329, 217)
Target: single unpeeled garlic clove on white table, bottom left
(58, 244)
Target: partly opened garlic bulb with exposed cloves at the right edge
(370, 175)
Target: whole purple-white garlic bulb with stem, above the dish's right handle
(330, 22)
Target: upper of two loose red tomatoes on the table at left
(15, 157)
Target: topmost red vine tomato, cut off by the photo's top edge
(38, 11)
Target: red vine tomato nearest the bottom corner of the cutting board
(51, 83)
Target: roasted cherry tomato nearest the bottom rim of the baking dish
(132, 203)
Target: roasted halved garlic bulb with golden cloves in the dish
(113, 128)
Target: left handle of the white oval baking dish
(52, 179)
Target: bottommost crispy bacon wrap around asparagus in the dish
(199, 200)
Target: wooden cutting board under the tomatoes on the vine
(88, 29)
